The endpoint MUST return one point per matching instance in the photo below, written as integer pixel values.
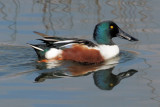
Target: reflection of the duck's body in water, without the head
(72, 69)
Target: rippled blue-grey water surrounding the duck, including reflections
(129, 80)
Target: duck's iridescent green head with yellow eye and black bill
(105, 31)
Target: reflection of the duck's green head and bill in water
(106, 80)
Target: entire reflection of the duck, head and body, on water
(102, 73)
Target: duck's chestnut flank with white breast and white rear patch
(83, 53)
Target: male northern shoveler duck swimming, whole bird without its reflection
(81, 50)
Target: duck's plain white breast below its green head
(108, 51)
